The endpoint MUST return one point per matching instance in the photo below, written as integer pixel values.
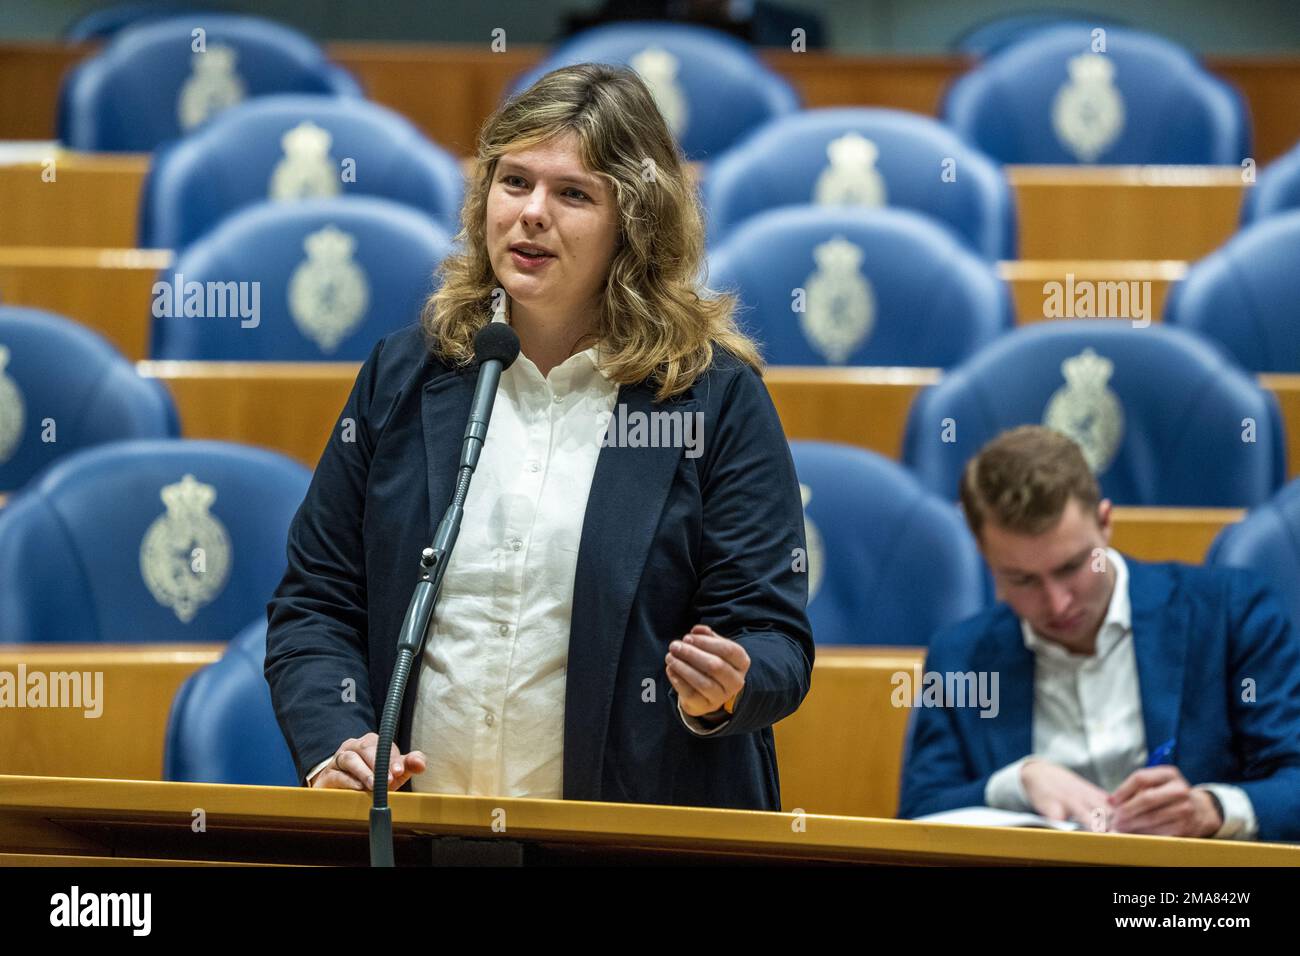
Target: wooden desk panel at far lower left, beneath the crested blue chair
(127, 739)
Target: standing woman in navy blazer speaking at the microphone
(622, 618)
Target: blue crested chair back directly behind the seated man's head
(1181, 404)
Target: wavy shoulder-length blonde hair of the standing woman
(655, 325)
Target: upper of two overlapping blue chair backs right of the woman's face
(788, 163)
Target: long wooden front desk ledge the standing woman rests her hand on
(96, 817)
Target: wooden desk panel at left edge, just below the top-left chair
(94, 201)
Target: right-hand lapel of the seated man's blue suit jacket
(1162, 651)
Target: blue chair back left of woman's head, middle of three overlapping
(242, 158)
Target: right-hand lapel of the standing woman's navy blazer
(629, 492)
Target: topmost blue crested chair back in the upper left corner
(149, 85)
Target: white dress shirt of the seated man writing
(1087, 716)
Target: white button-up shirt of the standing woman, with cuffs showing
(489, 715)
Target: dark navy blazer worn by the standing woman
(669, 542)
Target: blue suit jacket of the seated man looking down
(1199, 635)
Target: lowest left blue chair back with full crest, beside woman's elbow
(163, 540)
